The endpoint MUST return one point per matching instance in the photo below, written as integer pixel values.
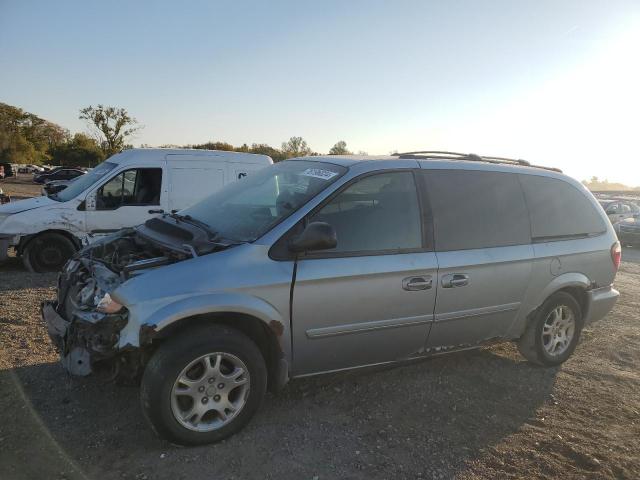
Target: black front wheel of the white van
(48, 252)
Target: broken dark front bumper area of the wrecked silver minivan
(86, 339)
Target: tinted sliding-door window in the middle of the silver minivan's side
(475, 209)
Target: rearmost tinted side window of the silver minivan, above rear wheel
(558, 209)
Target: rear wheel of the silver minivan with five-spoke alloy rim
(553, 334)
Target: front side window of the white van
(141, 186)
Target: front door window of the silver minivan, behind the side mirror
(378, 213)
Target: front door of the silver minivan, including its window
(371, 299)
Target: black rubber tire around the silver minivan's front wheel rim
(175, 355)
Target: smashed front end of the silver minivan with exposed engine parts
(84, 322)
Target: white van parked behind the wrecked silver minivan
(124, 191)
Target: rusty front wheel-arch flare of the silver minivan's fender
(185, 307)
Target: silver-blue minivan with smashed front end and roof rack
(320, 264)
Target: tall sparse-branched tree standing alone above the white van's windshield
(112, 126)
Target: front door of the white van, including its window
(128, 199)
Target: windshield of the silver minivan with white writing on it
(248, 208)
